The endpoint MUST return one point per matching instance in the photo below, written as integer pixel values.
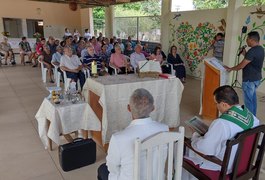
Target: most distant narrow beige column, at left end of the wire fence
(109, 20)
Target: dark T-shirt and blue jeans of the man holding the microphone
(252, 74)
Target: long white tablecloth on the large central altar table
(115, 91)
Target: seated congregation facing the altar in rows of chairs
(109, 54)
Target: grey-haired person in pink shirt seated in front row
(119, 61)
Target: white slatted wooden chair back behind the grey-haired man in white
(172, 142)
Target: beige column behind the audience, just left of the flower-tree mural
(165, 20)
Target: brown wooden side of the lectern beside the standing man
(211, 82)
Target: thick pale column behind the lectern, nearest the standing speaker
(232, 31)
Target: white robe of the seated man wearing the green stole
(214, 142)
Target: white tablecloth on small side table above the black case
(64, 119)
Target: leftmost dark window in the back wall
(13, 26)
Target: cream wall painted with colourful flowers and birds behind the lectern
(192, 32)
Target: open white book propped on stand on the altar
(149, 66)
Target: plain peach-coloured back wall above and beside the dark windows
(55, 16)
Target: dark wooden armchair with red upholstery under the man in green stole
(247, 161)
